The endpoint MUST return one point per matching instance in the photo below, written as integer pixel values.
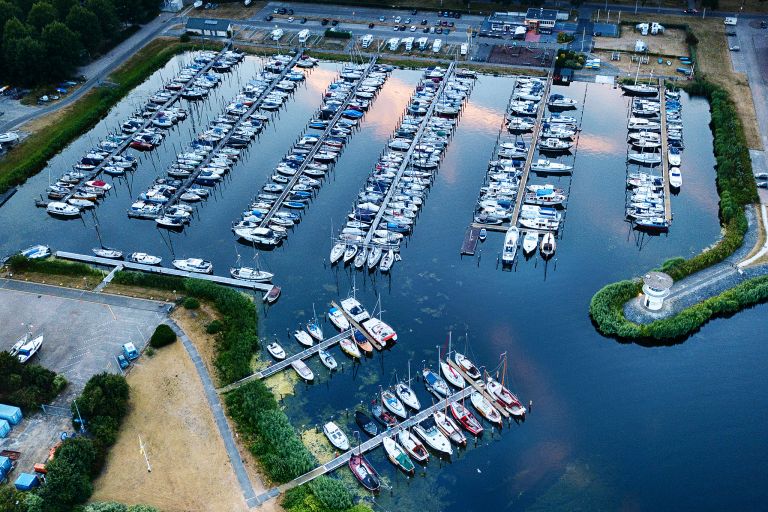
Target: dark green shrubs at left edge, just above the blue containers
(27, 386)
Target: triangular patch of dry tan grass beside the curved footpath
(190, 467)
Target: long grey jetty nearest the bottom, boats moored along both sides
(366, 446)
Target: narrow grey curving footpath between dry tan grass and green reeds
(221, 422)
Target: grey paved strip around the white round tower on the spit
(705, 284)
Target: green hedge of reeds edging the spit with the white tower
(737, 189)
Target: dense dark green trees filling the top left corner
(43, 41)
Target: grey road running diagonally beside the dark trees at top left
(95, 72)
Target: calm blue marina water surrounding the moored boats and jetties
(614, 426)
